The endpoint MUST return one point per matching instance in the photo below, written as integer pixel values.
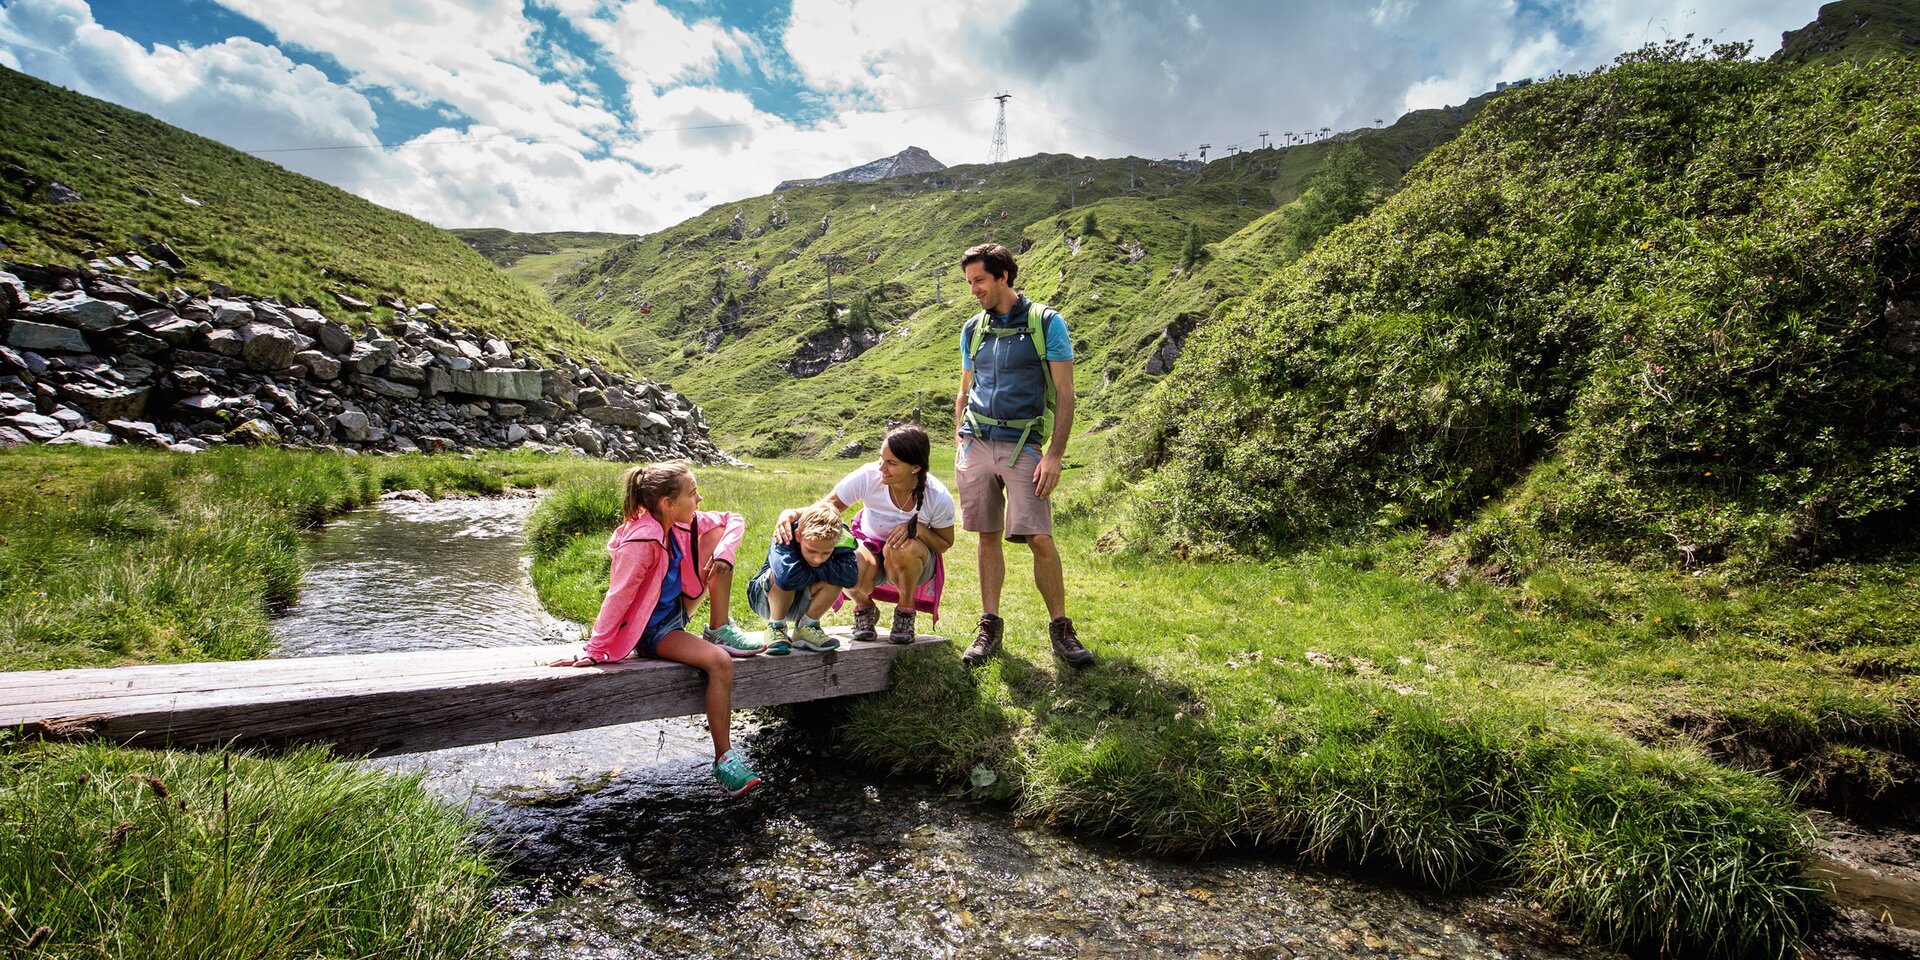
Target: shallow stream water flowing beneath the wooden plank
(621, 844)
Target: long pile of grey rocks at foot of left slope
(93, 358)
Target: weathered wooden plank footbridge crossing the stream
(383, 704)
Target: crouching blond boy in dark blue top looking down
(802, 579)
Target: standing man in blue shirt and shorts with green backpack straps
(1015, 416)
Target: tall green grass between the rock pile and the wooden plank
(120, 556)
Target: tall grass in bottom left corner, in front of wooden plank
(197, 857)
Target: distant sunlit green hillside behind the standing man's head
(729, 300)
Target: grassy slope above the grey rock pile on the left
(233, 220)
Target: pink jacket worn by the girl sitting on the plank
(638, 550)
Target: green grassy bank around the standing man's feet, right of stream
(1577, 736)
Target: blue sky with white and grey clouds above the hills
(636, 114)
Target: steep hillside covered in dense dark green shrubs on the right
(1666, 310)
